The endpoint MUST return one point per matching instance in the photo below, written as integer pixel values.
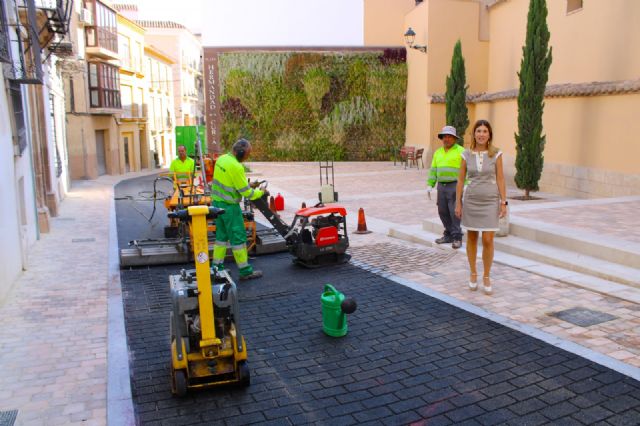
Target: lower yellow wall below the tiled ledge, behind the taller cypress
(578, 155)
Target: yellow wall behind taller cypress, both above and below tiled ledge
(592, 44)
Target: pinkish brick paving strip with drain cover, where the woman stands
(512, 298)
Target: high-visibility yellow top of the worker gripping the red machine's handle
(230, 183)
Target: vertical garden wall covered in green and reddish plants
(304, 106)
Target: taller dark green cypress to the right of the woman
(533, 75)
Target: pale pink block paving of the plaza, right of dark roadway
(391, 196)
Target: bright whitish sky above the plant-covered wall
(264, 22)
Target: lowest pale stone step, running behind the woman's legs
(621, 286)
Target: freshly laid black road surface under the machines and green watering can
(407, 358)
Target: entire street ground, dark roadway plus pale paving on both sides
(66, 354)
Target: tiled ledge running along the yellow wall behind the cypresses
(565, 90)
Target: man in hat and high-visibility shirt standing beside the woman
(444, 171)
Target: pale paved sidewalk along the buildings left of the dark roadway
(53, 325)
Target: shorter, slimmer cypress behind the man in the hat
(456, 95)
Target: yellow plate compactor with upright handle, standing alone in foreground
(207, 347)
